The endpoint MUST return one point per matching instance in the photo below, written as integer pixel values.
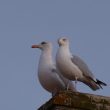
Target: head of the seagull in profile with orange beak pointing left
(43, 46)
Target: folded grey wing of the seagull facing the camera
(82, 66)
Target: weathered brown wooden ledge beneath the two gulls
(68, 100)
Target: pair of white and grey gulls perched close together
(55, 77)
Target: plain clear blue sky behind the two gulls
(25, 22)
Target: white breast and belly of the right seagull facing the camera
(66, 66)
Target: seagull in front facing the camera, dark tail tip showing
(73, 67)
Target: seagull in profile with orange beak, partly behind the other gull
(49, 77)
